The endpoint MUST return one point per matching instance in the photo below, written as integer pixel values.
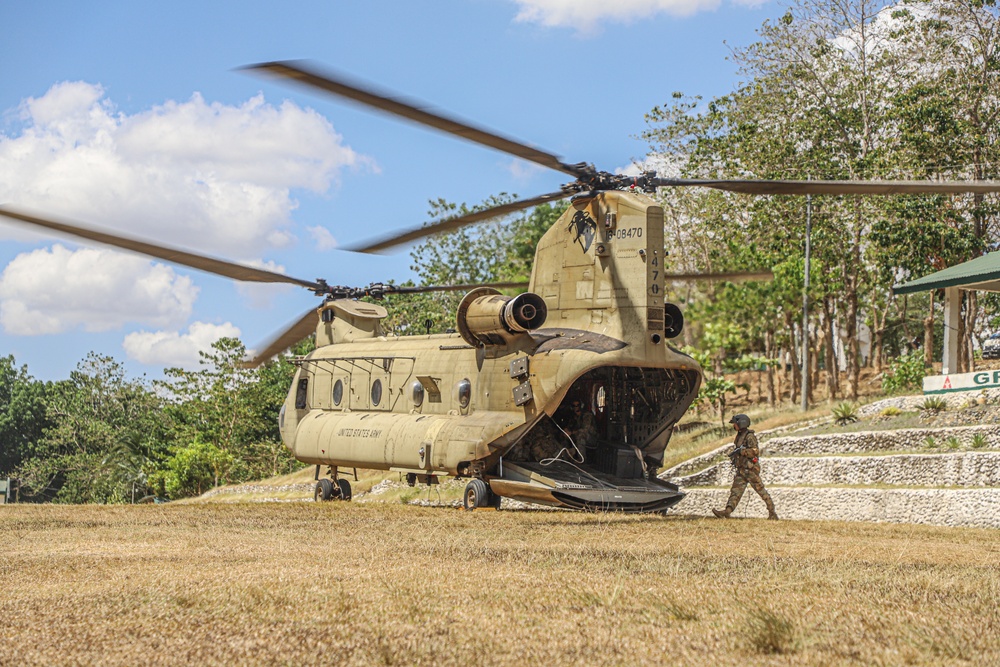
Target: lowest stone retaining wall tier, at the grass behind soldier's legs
(939, 507)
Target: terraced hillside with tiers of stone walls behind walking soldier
(896, 464)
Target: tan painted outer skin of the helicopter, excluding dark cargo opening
(598, 269)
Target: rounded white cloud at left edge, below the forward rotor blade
(55, 290)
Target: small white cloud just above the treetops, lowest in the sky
(175, 349)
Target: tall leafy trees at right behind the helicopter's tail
(921, 103)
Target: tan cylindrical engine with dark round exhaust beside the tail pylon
(487, 317)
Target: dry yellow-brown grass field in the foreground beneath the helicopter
(387, 584)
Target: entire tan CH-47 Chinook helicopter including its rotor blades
(488, 403)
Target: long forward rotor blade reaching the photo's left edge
(166, 253)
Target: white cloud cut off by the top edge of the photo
(587, 15)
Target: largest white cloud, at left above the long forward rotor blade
(210, 176)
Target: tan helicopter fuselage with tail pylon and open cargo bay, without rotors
(462, 404)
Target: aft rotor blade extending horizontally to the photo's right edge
(756, 187)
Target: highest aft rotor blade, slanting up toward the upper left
(368, 95)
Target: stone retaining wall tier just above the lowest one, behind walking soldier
(963, 469)
